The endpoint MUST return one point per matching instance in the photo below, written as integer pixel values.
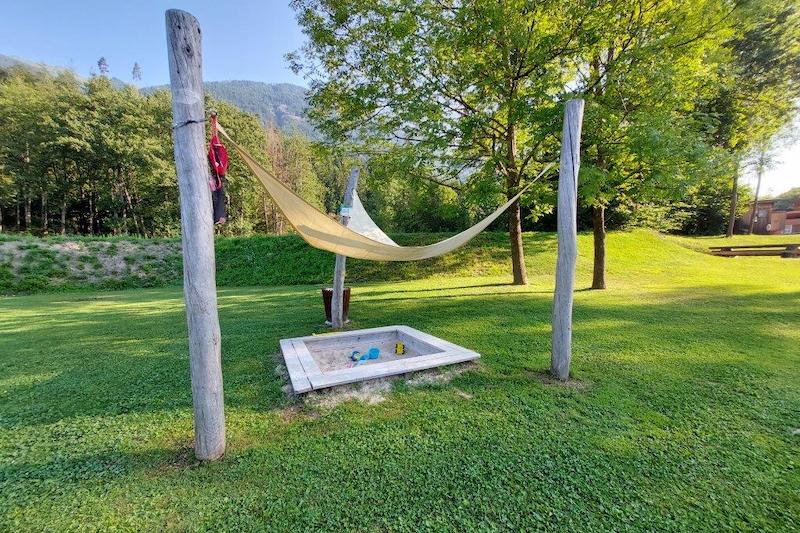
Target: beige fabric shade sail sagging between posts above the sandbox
(320, 231)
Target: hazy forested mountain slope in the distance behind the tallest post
(282, 104)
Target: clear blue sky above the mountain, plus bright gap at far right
(242, 39)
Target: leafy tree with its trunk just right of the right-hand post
(645, 65)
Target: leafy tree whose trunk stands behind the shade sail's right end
(467, 87)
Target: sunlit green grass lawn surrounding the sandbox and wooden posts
(684, 415)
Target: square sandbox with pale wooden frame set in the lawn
(321, 361)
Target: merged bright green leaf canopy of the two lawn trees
(470, 95)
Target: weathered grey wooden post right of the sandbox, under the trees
(567, 239)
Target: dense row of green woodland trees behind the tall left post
(89, 158)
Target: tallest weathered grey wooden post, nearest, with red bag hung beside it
(197, 233)
